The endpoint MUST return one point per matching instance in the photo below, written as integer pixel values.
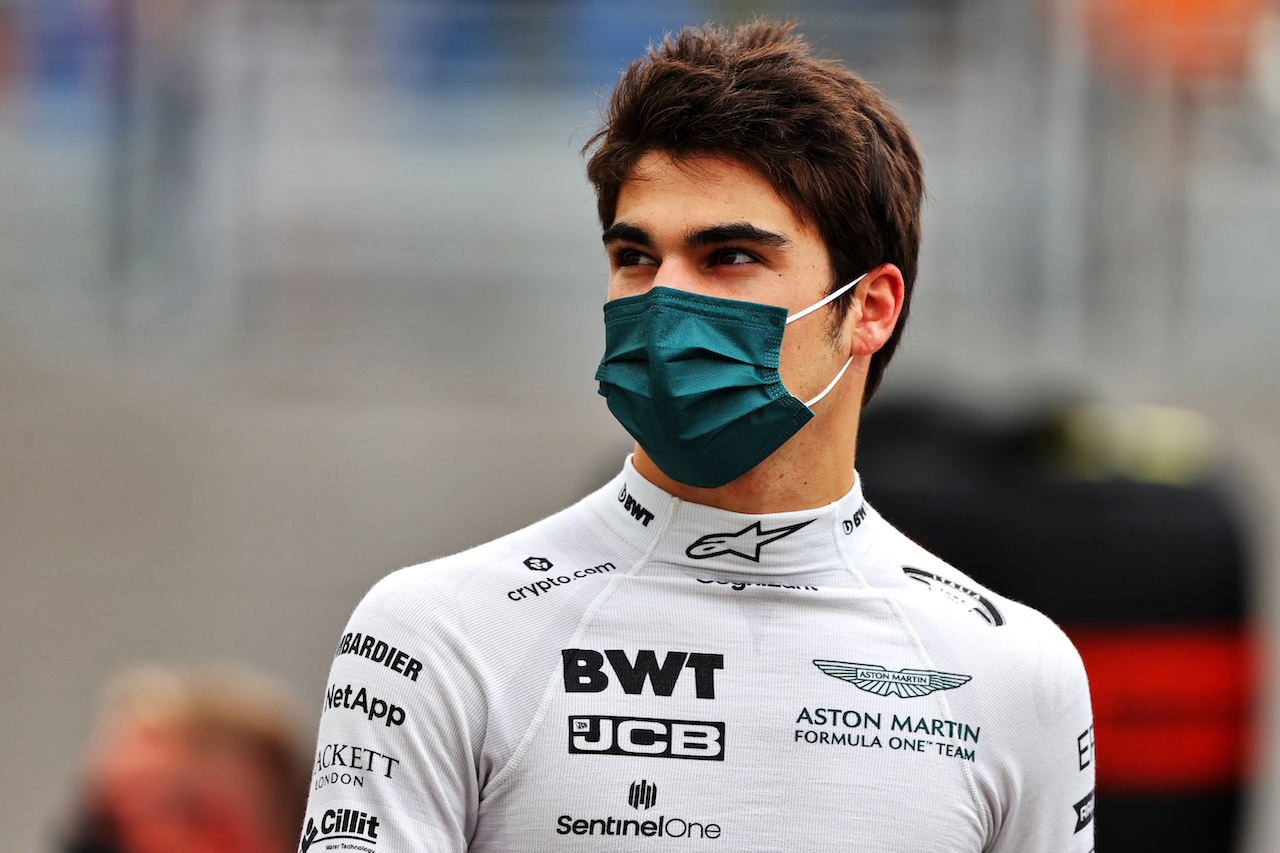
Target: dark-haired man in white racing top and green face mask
(725, 647)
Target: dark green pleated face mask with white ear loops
(696, 381)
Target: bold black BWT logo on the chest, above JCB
(584, 672)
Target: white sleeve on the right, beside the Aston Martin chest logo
(1046, 800)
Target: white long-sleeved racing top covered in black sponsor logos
(639, 673)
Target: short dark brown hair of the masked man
(828, 143)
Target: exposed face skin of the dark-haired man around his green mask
(712, 226)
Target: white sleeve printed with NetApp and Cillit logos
(397, 765)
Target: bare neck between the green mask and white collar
(816, 468)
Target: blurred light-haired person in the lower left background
(193, 761)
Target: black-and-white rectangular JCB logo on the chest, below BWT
(697, 740)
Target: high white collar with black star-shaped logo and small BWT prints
(703, 539)
